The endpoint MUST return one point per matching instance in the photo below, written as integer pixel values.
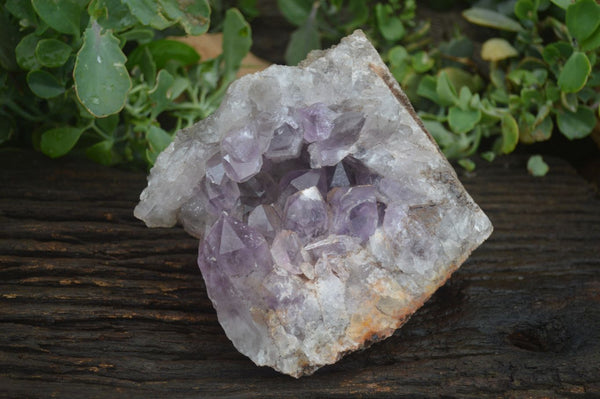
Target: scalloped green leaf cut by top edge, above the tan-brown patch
(193, 16)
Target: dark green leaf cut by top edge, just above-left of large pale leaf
(61, 15)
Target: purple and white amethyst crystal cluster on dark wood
(327, 214)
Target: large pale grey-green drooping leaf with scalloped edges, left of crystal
(101, 79)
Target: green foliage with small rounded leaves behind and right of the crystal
(541, 70)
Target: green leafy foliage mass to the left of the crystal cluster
(98, 77)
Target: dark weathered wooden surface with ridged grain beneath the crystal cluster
(94, 304)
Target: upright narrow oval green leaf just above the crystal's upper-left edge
(237, 40)
